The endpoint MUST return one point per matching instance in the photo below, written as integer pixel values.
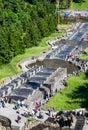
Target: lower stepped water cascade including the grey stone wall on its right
(42, 84)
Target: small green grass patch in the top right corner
(81, 6)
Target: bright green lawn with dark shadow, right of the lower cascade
(75, 95)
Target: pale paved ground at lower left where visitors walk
(12, 114)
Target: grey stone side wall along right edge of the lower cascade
(52, 84)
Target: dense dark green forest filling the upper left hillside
(23, 23)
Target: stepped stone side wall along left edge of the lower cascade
(16, 83)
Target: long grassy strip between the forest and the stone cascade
(12, 68)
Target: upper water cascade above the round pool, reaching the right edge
(63, 50)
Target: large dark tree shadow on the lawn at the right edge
(80, 96)
